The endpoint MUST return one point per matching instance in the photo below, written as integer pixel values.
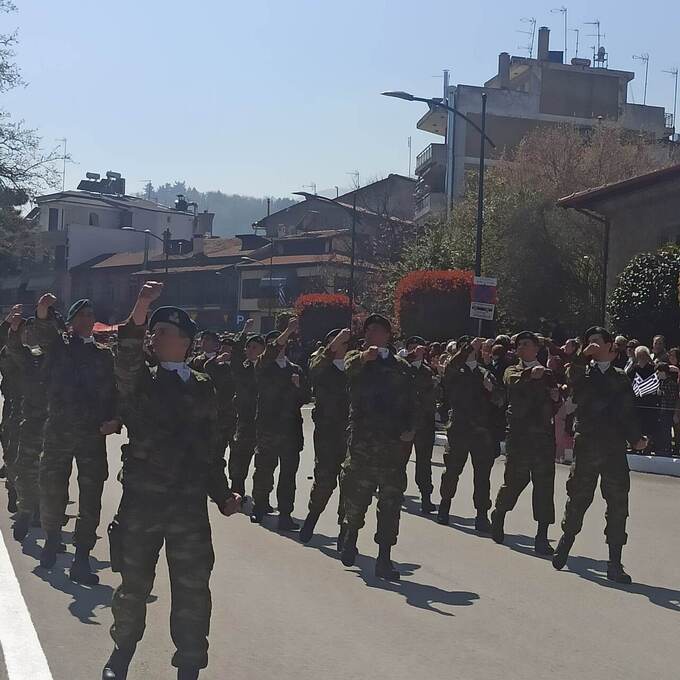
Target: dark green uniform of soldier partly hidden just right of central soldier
(426, 404)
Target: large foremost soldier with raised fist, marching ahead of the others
(171, 465)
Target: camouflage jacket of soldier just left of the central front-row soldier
(331, 407)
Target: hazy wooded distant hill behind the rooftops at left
(233, 213)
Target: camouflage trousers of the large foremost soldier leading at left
(147, 521)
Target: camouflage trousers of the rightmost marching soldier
(607, 462)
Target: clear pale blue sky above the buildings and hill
(267, 97)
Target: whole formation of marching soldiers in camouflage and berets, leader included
(371, 408)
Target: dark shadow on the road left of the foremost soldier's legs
(86, 599)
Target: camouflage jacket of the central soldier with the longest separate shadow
(382, 397)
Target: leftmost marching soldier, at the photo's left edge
(30, 362)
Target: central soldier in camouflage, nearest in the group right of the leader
(381, 431)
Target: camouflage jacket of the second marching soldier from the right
(530, 407)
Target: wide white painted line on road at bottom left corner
(24, 657)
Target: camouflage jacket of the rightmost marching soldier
(605, 407)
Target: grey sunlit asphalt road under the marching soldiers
(465, 608)
